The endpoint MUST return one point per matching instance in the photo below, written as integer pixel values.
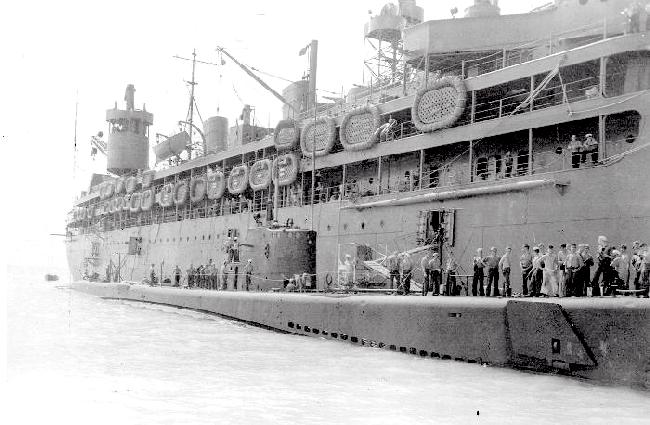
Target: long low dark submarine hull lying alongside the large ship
(604, 340)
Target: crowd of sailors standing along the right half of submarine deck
(545, 271)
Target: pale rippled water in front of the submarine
(74, 358)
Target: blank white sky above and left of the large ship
(55, 52)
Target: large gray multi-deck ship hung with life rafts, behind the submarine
(463, 131)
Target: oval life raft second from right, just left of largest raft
(359, 128)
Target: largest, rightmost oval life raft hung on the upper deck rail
(439, 105)
